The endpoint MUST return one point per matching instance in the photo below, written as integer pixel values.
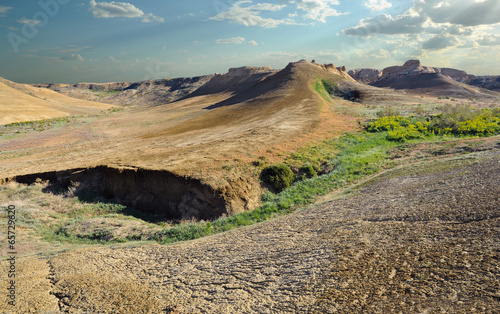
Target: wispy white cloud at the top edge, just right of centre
(249, 15)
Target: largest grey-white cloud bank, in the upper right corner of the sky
(435, 24)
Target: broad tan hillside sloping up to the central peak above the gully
(250, 115)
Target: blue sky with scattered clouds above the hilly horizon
(71, 41)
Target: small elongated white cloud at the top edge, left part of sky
(120, 9)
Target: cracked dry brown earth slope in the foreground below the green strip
(418, 239)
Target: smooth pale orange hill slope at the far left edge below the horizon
(21, 102)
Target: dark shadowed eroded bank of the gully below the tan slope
(161, 193)
